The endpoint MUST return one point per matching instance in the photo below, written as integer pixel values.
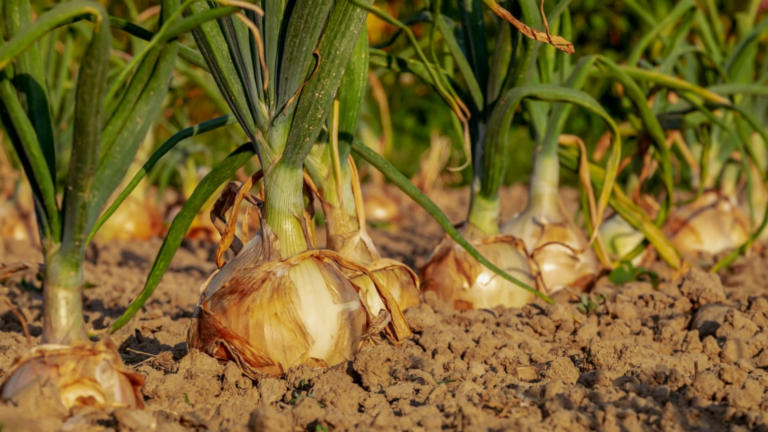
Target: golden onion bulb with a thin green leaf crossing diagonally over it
(462, 281)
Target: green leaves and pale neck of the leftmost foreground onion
(87, 186)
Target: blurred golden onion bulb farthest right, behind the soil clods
(711, 224)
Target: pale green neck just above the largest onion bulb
(284, 208)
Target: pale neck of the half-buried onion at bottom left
(62, 299)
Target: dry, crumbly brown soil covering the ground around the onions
(691, 354)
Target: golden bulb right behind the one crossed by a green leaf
(559, 251)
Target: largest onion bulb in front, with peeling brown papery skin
(268, 314)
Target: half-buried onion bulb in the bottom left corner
(81, 375)
